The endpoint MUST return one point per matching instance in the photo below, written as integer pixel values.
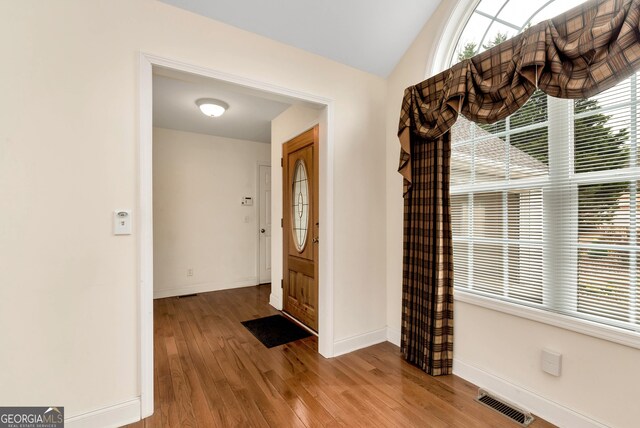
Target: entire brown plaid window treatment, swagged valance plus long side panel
(578, 54)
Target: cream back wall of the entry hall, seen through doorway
(199, 223)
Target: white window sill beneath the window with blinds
(611, 334)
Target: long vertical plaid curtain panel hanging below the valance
(427, 297)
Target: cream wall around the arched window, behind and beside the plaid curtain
(600, 379)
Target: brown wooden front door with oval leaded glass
(300, 227)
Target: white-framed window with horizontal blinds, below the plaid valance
(545, 208)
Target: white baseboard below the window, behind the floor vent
(527, 400)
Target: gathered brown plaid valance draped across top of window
(575, 55)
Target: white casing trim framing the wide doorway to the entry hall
(145, 242)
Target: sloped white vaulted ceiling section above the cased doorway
(370, 35)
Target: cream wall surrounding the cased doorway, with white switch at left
(68, 158)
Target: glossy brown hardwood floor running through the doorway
(211, 372)
